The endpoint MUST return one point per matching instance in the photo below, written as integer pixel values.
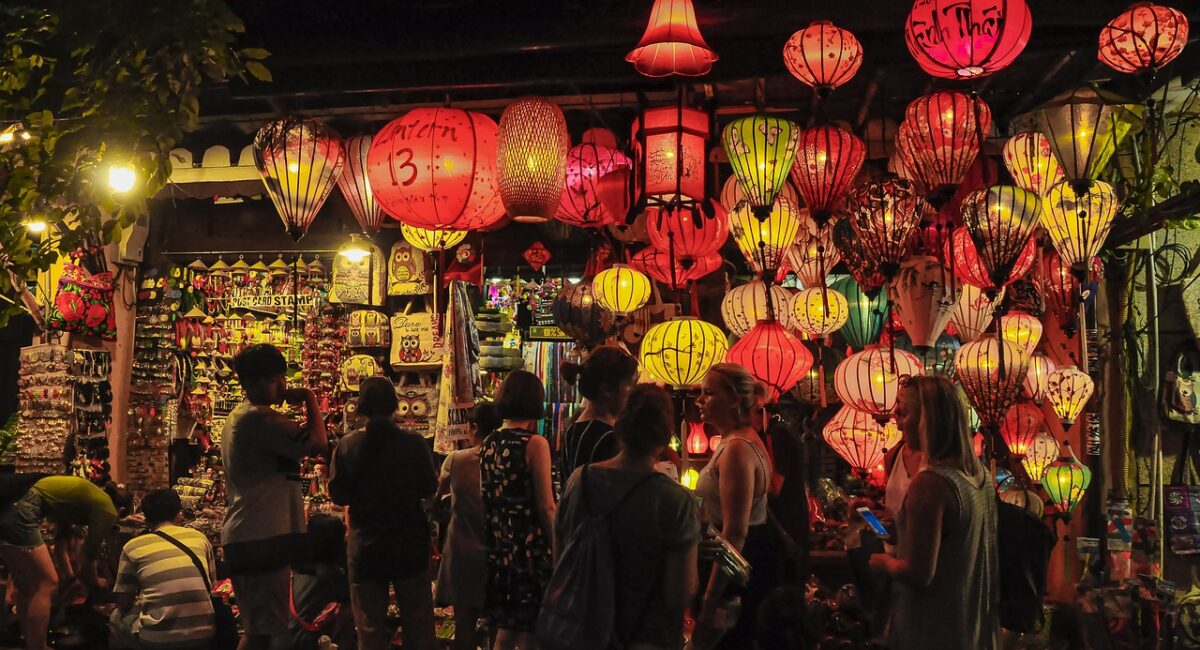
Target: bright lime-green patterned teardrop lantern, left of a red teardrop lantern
(761, 152)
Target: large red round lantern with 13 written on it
(435, 168)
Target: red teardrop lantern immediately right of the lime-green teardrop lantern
(827, 161)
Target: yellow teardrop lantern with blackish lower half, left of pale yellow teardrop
(1001, 221)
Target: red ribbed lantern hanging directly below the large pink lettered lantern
(940, 137)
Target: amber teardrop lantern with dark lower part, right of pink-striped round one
(991, 374)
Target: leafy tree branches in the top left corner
(95, 85)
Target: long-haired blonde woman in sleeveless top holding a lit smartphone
(946, 562)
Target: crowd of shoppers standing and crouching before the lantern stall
(587, 537)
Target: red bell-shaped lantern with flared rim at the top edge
(673, 44)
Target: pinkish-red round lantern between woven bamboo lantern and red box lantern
(587, 164)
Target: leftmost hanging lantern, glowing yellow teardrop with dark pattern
(301, 161)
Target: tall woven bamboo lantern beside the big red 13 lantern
(531, 151)
